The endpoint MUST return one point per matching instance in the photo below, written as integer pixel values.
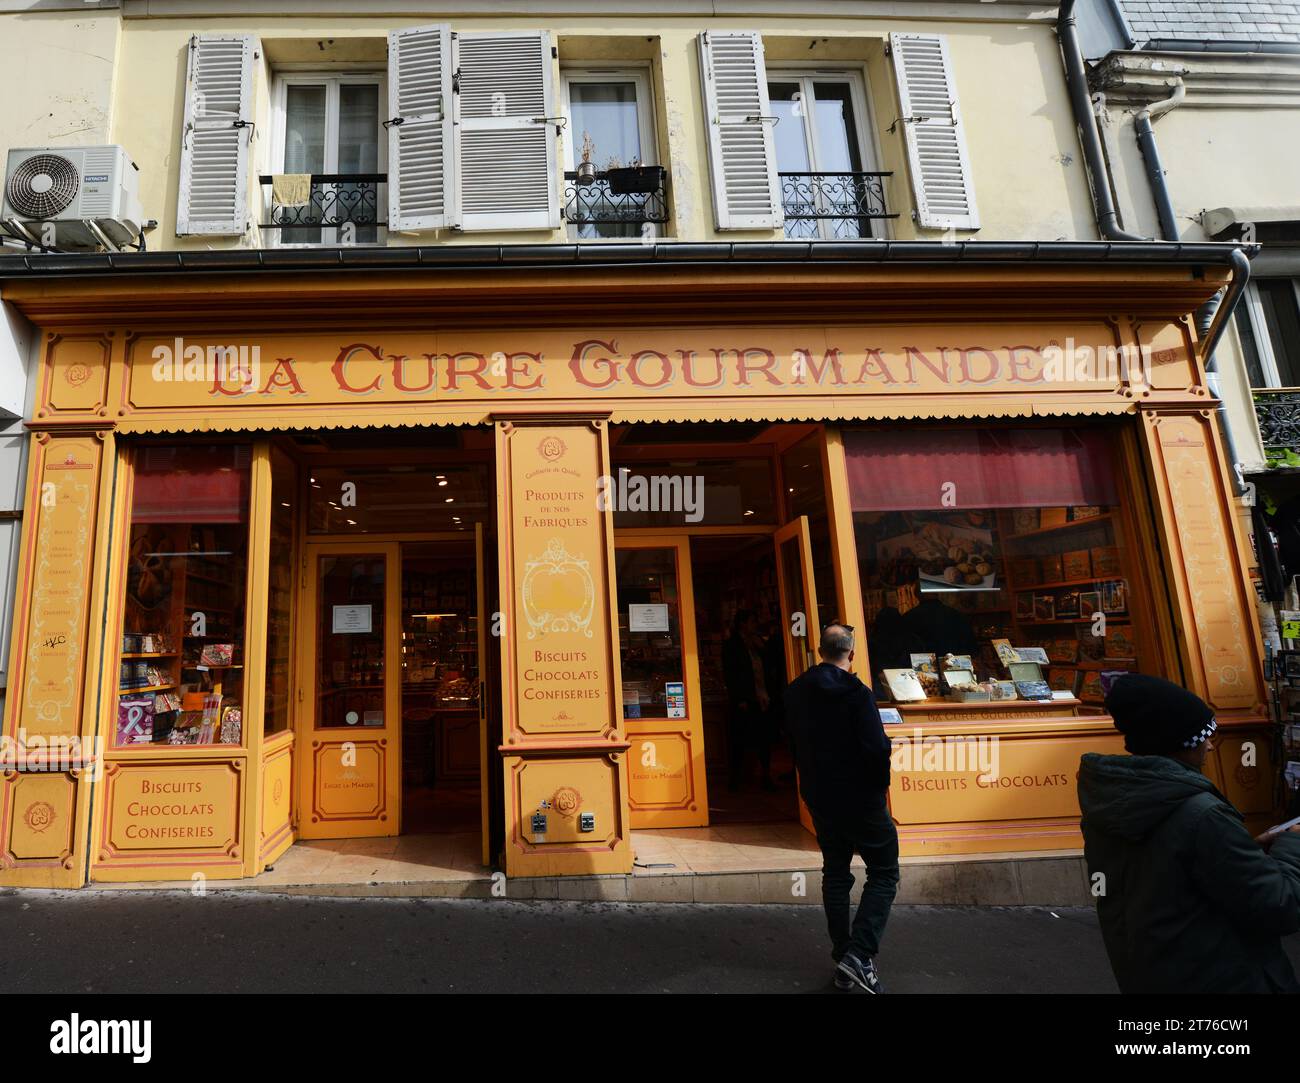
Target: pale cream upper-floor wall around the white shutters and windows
(1029, 177)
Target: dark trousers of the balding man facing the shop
(873, 835)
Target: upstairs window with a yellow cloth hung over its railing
(328, 129)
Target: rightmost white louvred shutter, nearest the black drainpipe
(933, 132)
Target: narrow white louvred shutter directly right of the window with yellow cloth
(422, 158)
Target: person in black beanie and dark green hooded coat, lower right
(1189, 903)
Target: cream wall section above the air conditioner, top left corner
(57, 79)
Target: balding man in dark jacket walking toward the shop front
(843, 759)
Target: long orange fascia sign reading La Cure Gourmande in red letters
(525, 366)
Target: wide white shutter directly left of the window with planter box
(505, 132)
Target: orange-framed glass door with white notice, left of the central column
(352, 692)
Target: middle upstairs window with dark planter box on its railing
(614, 187)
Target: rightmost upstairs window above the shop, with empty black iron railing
(824, 155)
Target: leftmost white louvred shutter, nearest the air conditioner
(214, 197)
